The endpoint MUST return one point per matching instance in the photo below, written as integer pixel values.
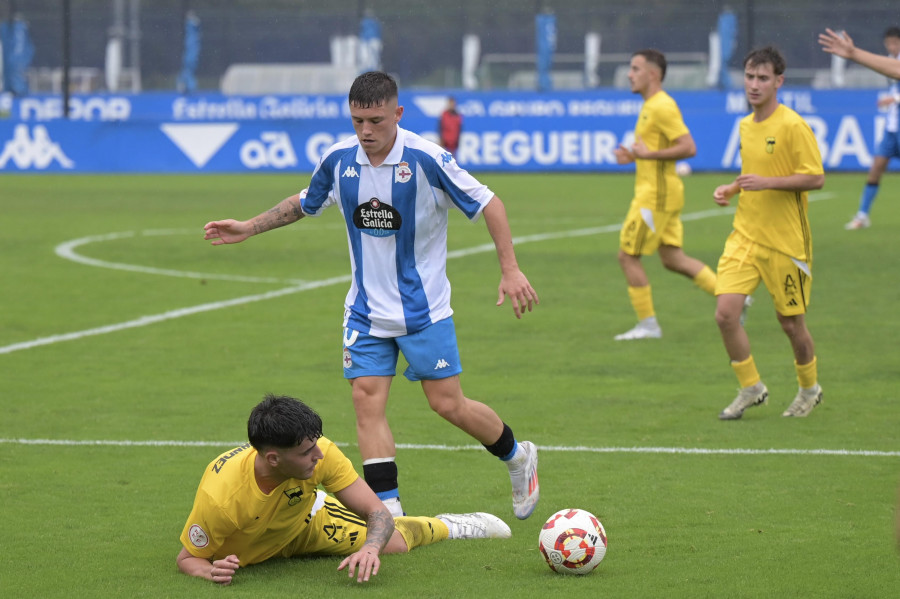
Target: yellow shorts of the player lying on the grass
(332, 530)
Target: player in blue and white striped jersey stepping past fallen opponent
(395, 191)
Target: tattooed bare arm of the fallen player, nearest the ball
(360, 499)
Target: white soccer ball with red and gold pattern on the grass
(573, 542)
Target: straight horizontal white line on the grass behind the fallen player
(413, 446)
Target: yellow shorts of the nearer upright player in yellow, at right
(744, 264)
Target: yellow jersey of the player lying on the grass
(231, 515)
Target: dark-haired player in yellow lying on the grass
(262, 500)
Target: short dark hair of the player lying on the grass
(282, 422)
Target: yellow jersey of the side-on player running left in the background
(656, 186)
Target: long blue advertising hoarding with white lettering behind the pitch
(502, 131)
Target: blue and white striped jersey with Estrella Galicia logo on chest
(396, 217)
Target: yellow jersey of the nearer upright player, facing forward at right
(780, 146)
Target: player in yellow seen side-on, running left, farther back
(653, 223)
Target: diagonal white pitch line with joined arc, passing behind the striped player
(66, 250)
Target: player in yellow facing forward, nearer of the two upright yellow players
(771, 242)
